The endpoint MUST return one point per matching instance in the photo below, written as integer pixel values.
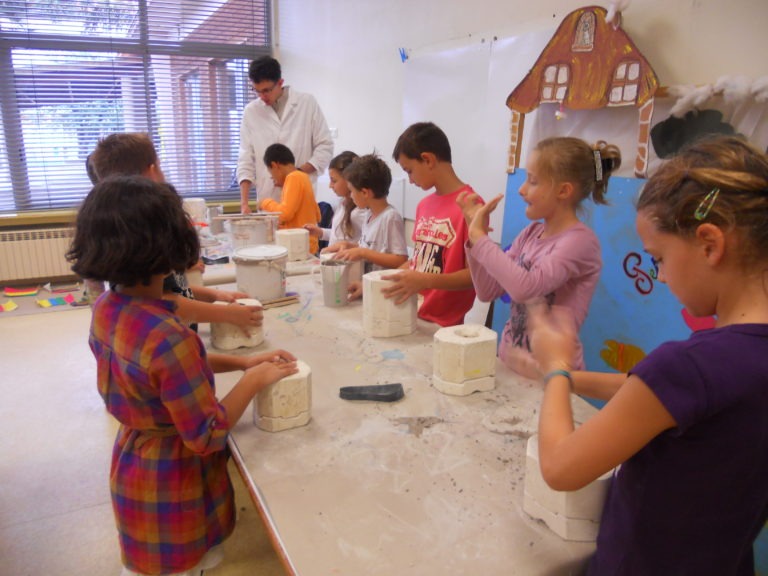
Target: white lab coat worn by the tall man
(302, 128)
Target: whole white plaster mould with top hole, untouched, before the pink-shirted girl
(464, 359)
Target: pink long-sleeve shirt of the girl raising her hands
(563, 269)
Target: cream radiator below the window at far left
(34, 254)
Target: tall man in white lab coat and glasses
(280, 115)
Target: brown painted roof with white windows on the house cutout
(588, 64)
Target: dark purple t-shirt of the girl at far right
(693, 500)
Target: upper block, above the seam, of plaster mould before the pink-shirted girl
(464, 352)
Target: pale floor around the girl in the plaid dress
(55, 443)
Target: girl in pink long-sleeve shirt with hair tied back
(556, 257)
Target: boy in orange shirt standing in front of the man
(297, 205)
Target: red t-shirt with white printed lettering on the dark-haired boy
(439, 237)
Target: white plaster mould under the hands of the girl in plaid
(285, 404)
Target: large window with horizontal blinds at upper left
(73, 71)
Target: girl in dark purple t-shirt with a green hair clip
(688, 425)
